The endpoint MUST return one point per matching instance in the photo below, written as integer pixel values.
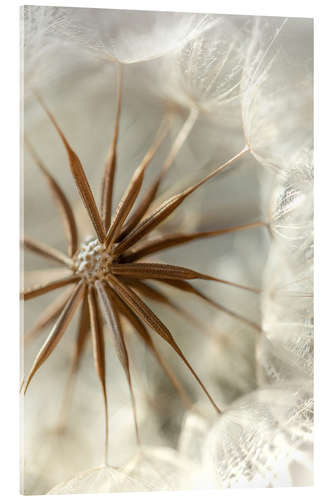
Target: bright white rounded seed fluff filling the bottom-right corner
(258, 437)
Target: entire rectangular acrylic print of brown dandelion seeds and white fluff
(168, 251)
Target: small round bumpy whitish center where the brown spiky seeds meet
(92, 261)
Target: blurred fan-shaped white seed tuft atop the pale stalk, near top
(205, 71)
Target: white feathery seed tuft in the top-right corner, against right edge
(276, 93)
